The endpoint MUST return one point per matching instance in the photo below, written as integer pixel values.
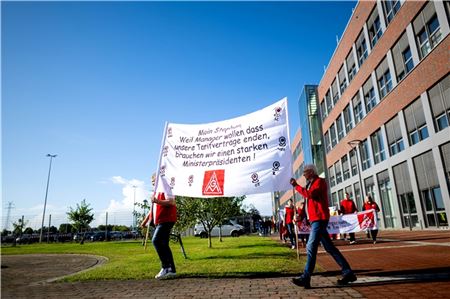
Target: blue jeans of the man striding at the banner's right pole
(318, 234)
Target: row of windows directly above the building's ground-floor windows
(377, 150)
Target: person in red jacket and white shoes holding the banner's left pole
(164, 215)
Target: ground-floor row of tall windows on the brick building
(429, 189)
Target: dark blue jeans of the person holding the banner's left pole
(160, 241)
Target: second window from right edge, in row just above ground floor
(415, 122)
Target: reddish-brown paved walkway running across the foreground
(402, 264)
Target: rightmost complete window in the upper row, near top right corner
(427, 28)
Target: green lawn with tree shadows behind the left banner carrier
(246, 256)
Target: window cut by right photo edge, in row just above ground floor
(439, 97)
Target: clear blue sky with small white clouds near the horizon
(95, 83)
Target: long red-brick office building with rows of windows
(385, 109)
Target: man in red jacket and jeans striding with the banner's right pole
(318, 214)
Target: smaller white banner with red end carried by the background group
(349, 223)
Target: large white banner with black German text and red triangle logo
(244, 155)
